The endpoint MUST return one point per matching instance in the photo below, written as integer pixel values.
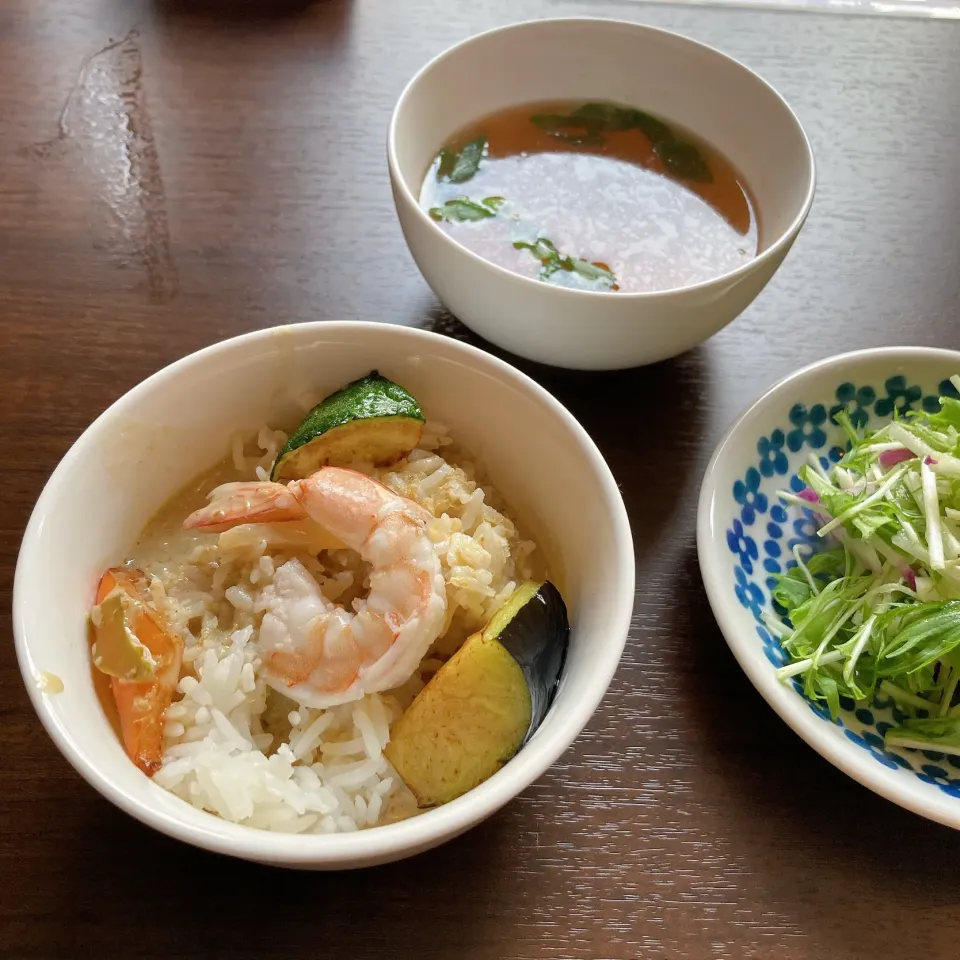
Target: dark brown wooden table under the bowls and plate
(172, 173)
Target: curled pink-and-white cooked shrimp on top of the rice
(316, 652)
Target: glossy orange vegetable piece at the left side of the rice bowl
(142, 704)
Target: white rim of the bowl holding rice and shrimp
(390, 841)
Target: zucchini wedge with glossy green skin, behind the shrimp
(371, 419)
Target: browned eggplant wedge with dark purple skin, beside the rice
(485, 701)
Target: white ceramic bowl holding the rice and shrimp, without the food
(177, 423)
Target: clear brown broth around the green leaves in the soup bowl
(614, 203)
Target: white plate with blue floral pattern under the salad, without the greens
(746, 535)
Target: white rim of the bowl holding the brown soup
(771, 252)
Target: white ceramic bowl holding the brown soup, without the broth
(673, 77)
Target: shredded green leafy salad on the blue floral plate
(878, 608)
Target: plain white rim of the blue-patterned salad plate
(792, 708)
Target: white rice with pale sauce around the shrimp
(239, 750)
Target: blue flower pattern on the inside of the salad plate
(766, 548)
